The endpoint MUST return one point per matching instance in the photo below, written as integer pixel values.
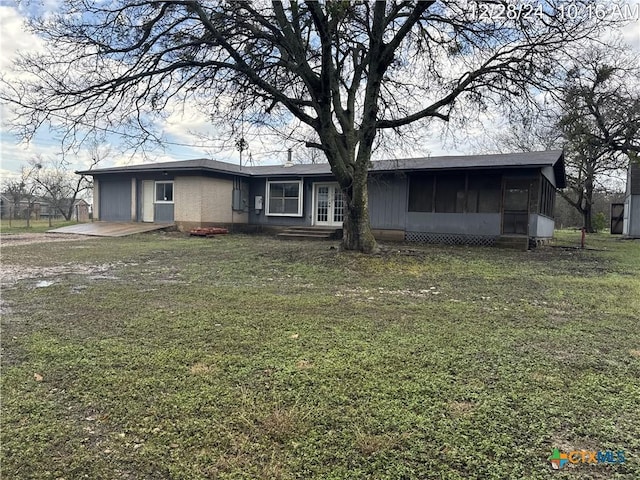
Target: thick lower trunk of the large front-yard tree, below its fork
(357, 233)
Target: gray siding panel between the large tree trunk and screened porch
(388, 201)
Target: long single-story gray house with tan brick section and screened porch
(455, 199)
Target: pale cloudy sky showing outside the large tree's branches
(183, 128)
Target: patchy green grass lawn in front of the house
(161, 356)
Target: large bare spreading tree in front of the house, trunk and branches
(348, 71)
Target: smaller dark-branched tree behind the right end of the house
(600, 124)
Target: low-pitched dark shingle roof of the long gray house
(550, 158)
